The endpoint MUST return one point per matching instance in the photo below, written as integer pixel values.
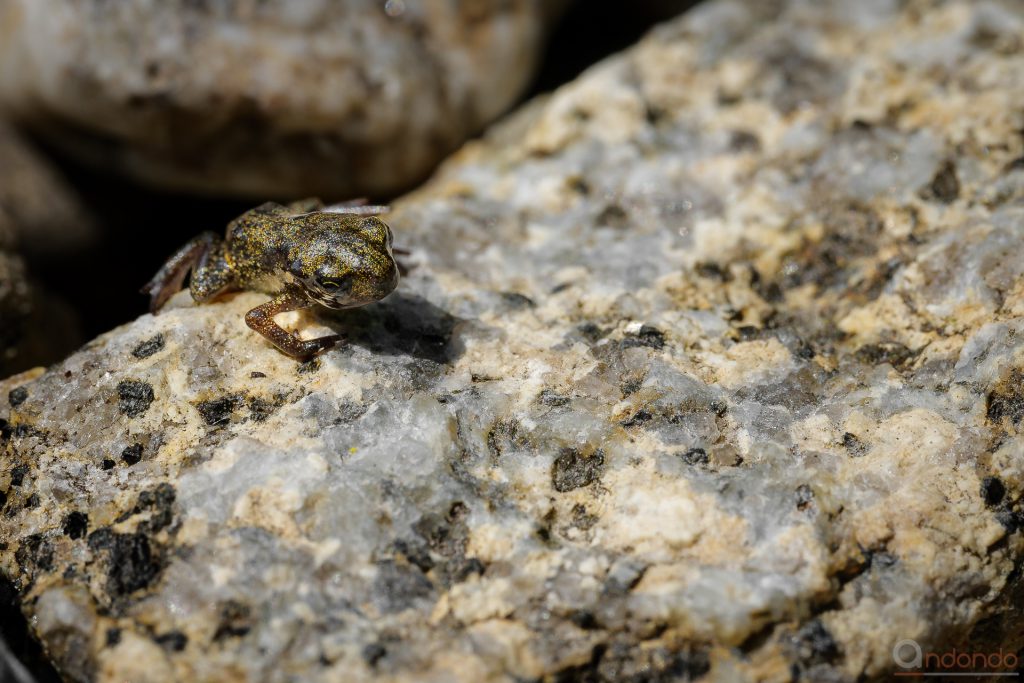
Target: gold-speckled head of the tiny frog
(344, 261)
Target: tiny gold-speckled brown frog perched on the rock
(304, 254)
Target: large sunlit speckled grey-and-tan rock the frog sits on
(710, 367)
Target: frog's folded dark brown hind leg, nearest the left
(202, 255)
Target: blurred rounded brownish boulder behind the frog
(268, 99)
